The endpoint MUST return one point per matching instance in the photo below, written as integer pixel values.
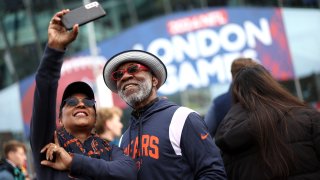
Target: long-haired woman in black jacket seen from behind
(268, 133)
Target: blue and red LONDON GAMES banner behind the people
(199, 46)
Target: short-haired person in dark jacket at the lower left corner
(14, 160)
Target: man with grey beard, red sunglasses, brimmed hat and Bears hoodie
(165, 140)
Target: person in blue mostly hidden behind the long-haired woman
(222, 104)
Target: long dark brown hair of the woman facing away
(268, 105)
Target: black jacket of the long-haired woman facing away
(240, 150)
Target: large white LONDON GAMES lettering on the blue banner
(198, 59)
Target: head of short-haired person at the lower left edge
(15, 152)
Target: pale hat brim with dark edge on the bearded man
(145, 58)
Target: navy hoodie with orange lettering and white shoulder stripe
(171, 142)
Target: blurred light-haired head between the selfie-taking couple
(108, 124)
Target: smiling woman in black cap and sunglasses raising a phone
(71, 151)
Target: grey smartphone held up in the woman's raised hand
(83, 15)
